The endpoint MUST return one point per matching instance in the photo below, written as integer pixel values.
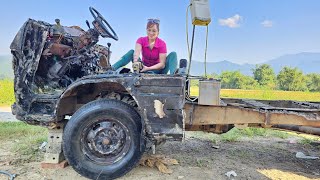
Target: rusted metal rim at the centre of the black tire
(105, 141)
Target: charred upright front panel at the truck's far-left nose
(26, 55)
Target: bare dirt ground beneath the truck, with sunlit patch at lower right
(258, 158)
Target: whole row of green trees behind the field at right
(288, 79)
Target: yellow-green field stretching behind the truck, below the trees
(7, 94)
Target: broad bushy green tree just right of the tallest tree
(292, 79)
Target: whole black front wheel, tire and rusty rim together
(102, 140)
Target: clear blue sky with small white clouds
(241, 31)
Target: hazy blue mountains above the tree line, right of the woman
(307, 62)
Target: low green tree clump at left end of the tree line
(236, 80)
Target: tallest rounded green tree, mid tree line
(265, 76)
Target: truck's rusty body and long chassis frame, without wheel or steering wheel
(55, 77)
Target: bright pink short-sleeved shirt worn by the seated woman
(150, 57)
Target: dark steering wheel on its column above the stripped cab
(101, 25)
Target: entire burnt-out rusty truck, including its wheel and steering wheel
(101, 120)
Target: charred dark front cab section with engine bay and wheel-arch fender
(43, 97)
